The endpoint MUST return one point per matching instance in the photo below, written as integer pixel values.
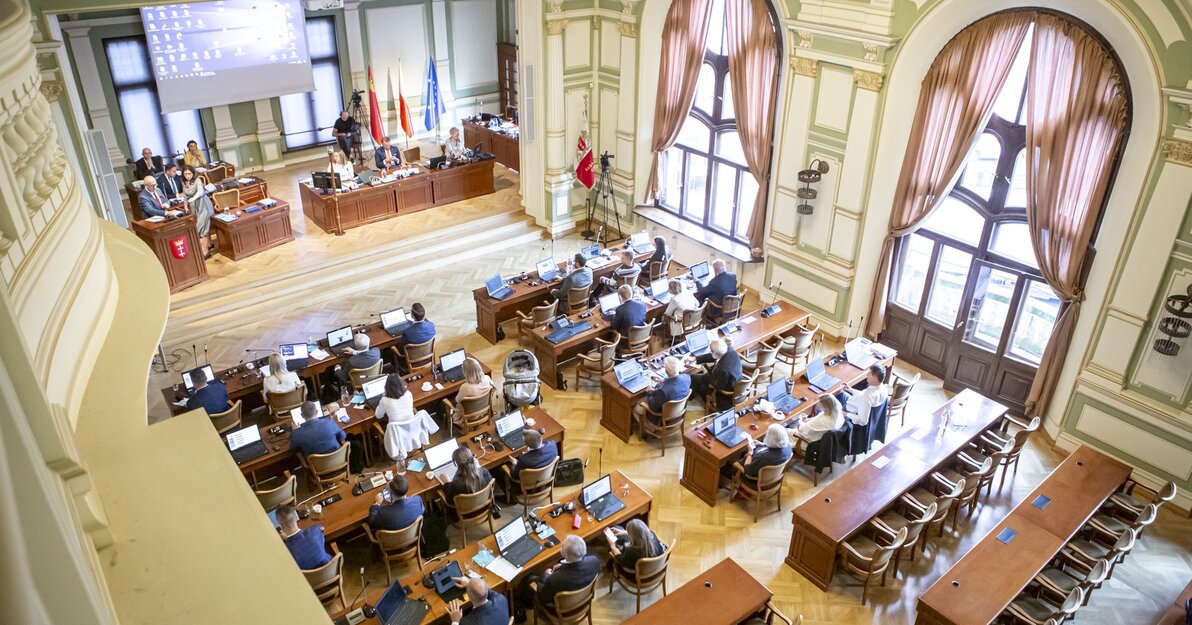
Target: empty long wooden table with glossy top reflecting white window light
(850, 502)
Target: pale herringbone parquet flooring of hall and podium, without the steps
(1140, 591)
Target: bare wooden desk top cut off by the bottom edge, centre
(725, 595)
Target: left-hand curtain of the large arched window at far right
(955, 103)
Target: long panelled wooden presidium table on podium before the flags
(336, 213)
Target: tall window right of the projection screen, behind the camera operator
(303, 113)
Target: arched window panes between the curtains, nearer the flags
(704, 176)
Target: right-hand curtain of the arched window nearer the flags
(754, 79)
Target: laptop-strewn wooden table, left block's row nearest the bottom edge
(637, 505)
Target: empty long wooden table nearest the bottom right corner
(979, 587)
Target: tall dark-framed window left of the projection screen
(136, 92)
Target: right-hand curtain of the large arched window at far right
(1076, 121)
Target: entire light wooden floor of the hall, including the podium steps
(239, 311)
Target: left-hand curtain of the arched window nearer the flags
(685, 34)
